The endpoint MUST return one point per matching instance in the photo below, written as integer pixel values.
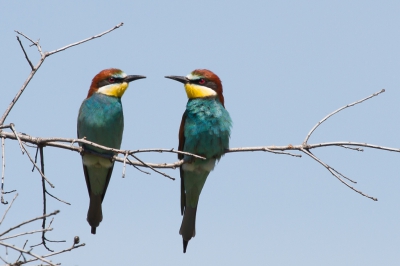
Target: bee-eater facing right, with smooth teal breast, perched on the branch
(101, 120)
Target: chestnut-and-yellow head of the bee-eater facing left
(201, 83)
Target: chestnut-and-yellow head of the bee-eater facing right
(111, 82)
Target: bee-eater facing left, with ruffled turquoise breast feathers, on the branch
(205, 131)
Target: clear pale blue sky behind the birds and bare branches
(284, 65)
